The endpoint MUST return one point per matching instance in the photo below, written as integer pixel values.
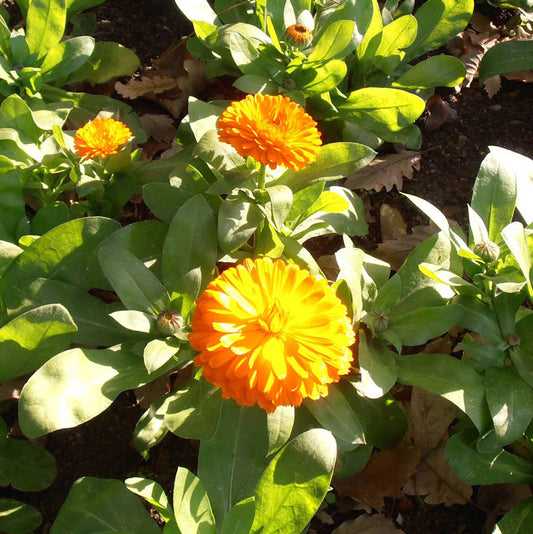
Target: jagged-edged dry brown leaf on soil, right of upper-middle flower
(386, 172)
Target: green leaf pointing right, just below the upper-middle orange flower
(335, 160)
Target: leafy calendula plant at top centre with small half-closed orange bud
(348, 62)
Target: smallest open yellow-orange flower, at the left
(101, 137)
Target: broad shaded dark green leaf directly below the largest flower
(231, 463)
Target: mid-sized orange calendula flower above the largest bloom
(272, 129)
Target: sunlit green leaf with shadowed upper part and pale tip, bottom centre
(294, 484)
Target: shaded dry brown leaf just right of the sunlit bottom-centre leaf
(383, 476)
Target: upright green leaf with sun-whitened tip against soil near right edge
(494, 194)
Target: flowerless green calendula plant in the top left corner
(36, 60)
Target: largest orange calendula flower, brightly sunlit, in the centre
(272, 334)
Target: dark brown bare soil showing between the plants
(451, 158)
